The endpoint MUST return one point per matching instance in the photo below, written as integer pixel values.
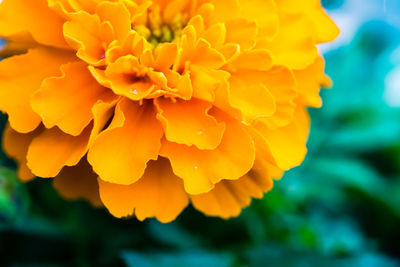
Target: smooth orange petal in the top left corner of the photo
(33, 16)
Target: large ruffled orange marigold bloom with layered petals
(145, 105)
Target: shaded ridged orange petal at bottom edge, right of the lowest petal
(228, 198)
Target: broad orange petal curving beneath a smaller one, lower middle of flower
(201, 169)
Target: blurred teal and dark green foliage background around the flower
(340, 208)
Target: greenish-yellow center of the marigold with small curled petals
(158, 31)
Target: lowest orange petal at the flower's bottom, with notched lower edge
(159, 193)
